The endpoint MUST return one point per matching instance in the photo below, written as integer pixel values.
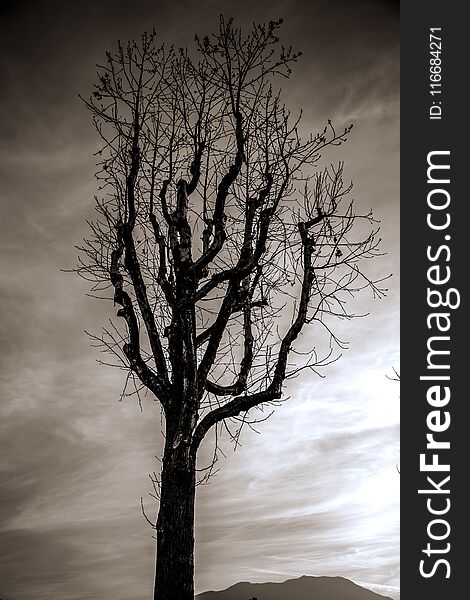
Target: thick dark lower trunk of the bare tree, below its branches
(174, 578)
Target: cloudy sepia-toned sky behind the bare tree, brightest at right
(316, 491)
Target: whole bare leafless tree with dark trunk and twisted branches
(220, 240)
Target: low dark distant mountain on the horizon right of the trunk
(304, 588)
